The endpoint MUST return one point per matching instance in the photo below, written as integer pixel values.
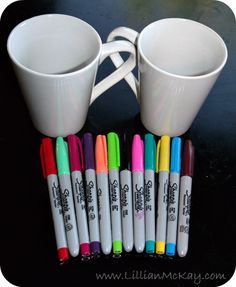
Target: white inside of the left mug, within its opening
(53, 44)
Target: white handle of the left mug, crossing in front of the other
(122, 70)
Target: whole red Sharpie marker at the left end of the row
(50, 172)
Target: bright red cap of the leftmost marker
(47, 157)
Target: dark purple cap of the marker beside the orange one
(88, 148)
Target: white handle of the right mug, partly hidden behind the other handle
(132, 36)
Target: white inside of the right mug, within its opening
(182, 47)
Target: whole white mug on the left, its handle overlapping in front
(55, 58)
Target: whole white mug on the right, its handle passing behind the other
(179, 61)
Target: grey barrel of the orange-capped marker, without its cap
(104, 212)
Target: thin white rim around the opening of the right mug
(215, 71)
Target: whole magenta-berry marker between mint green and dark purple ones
(76, 167)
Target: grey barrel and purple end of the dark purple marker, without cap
(92, 208)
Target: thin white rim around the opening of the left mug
(27, 21)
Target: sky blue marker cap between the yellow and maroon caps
(175, 161)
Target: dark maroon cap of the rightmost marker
(188, 159)
